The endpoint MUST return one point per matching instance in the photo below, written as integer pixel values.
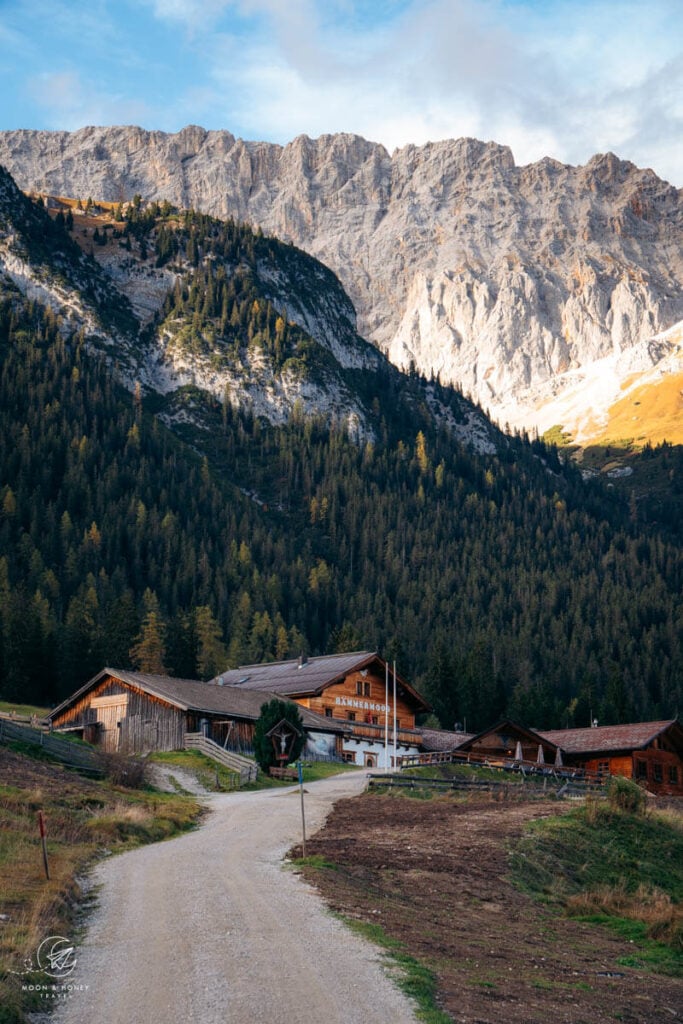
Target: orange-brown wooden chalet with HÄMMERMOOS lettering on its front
(357, 690)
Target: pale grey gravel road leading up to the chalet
(211, 928)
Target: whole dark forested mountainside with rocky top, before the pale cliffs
(196, 439)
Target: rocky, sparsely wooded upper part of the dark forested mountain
(286, 337)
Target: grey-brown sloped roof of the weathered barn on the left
(192, 695)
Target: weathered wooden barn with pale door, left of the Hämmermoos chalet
(136, 713)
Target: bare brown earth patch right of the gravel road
(434, 875)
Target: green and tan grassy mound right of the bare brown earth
(608, 866)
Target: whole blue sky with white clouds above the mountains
(559, 78)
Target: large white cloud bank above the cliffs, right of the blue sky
(564, 80)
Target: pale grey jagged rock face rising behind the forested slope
(500, 278)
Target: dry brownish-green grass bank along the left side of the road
(86, 820)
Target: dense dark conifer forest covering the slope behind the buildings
(501, 584)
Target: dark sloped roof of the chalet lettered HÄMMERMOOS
(297, 678)
